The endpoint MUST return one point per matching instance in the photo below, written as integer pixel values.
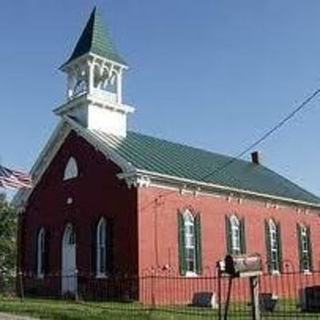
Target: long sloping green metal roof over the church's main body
(177, 160)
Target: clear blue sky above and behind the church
(214, 74)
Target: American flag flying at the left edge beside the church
(14, 179)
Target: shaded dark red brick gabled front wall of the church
(96, 192)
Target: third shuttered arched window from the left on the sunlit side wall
(274, 246)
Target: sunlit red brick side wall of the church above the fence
(158, 231)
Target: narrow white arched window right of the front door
(101, 254)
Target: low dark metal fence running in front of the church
(289, 295)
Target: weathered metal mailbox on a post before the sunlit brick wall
(247, 265)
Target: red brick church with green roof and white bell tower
(108, 202)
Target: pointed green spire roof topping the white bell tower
(95, 39)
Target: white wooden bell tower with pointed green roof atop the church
(94, 81)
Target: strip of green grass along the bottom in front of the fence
(69, 310)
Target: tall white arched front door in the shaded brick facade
(69, 276)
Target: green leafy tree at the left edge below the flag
(8, 232)
